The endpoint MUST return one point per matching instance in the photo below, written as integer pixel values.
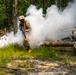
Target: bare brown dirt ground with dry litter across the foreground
(38, 67)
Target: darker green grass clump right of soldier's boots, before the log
(44, 53)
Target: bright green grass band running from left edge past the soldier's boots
(16, 52)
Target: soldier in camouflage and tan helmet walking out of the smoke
(25, 27)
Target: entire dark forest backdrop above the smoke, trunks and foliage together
(10, 10)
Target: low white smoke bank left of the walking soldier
(10, 38)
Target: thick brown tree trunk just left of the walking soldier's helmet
(14, 15)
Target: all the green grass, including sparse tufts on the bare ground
(11, 52)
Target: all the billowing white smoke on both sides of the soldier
(54, 26)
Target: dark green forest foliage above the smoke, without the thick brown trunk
(22, 8)
